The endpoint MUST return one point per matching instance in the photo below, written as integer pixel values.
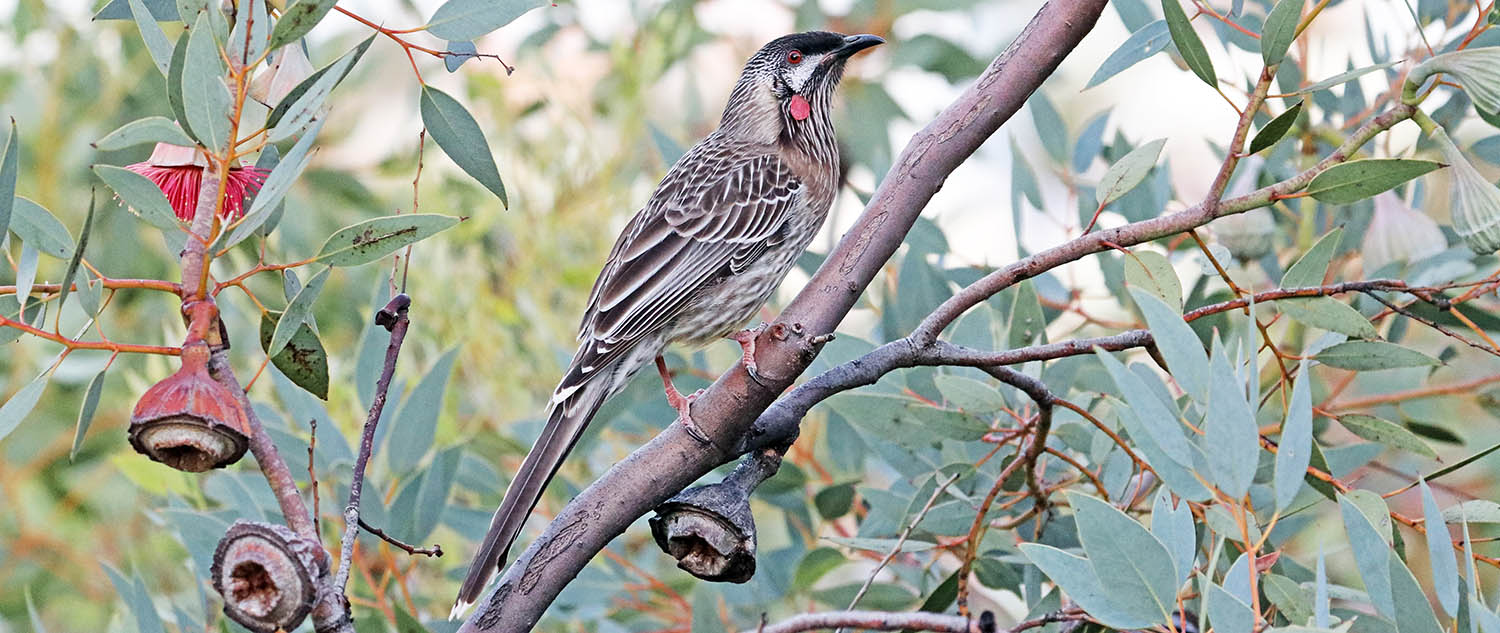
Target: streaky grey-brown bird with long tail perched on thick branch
(700, 259)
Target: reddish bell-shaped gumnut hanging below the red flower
(190, 421)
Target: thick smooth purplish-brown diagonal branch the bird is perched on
(728, 409)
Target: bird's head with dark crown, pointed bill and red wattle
(790, 82)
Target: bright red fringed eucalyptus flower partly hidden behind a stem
(179, 173)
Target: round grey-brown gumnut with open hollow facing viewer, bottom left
(268, 575)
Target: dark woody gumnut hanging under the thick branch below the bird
(710, 529)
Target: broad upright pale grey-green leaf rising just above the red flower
(206, 100)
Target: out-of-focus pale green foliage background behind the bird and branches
(605, 97)
